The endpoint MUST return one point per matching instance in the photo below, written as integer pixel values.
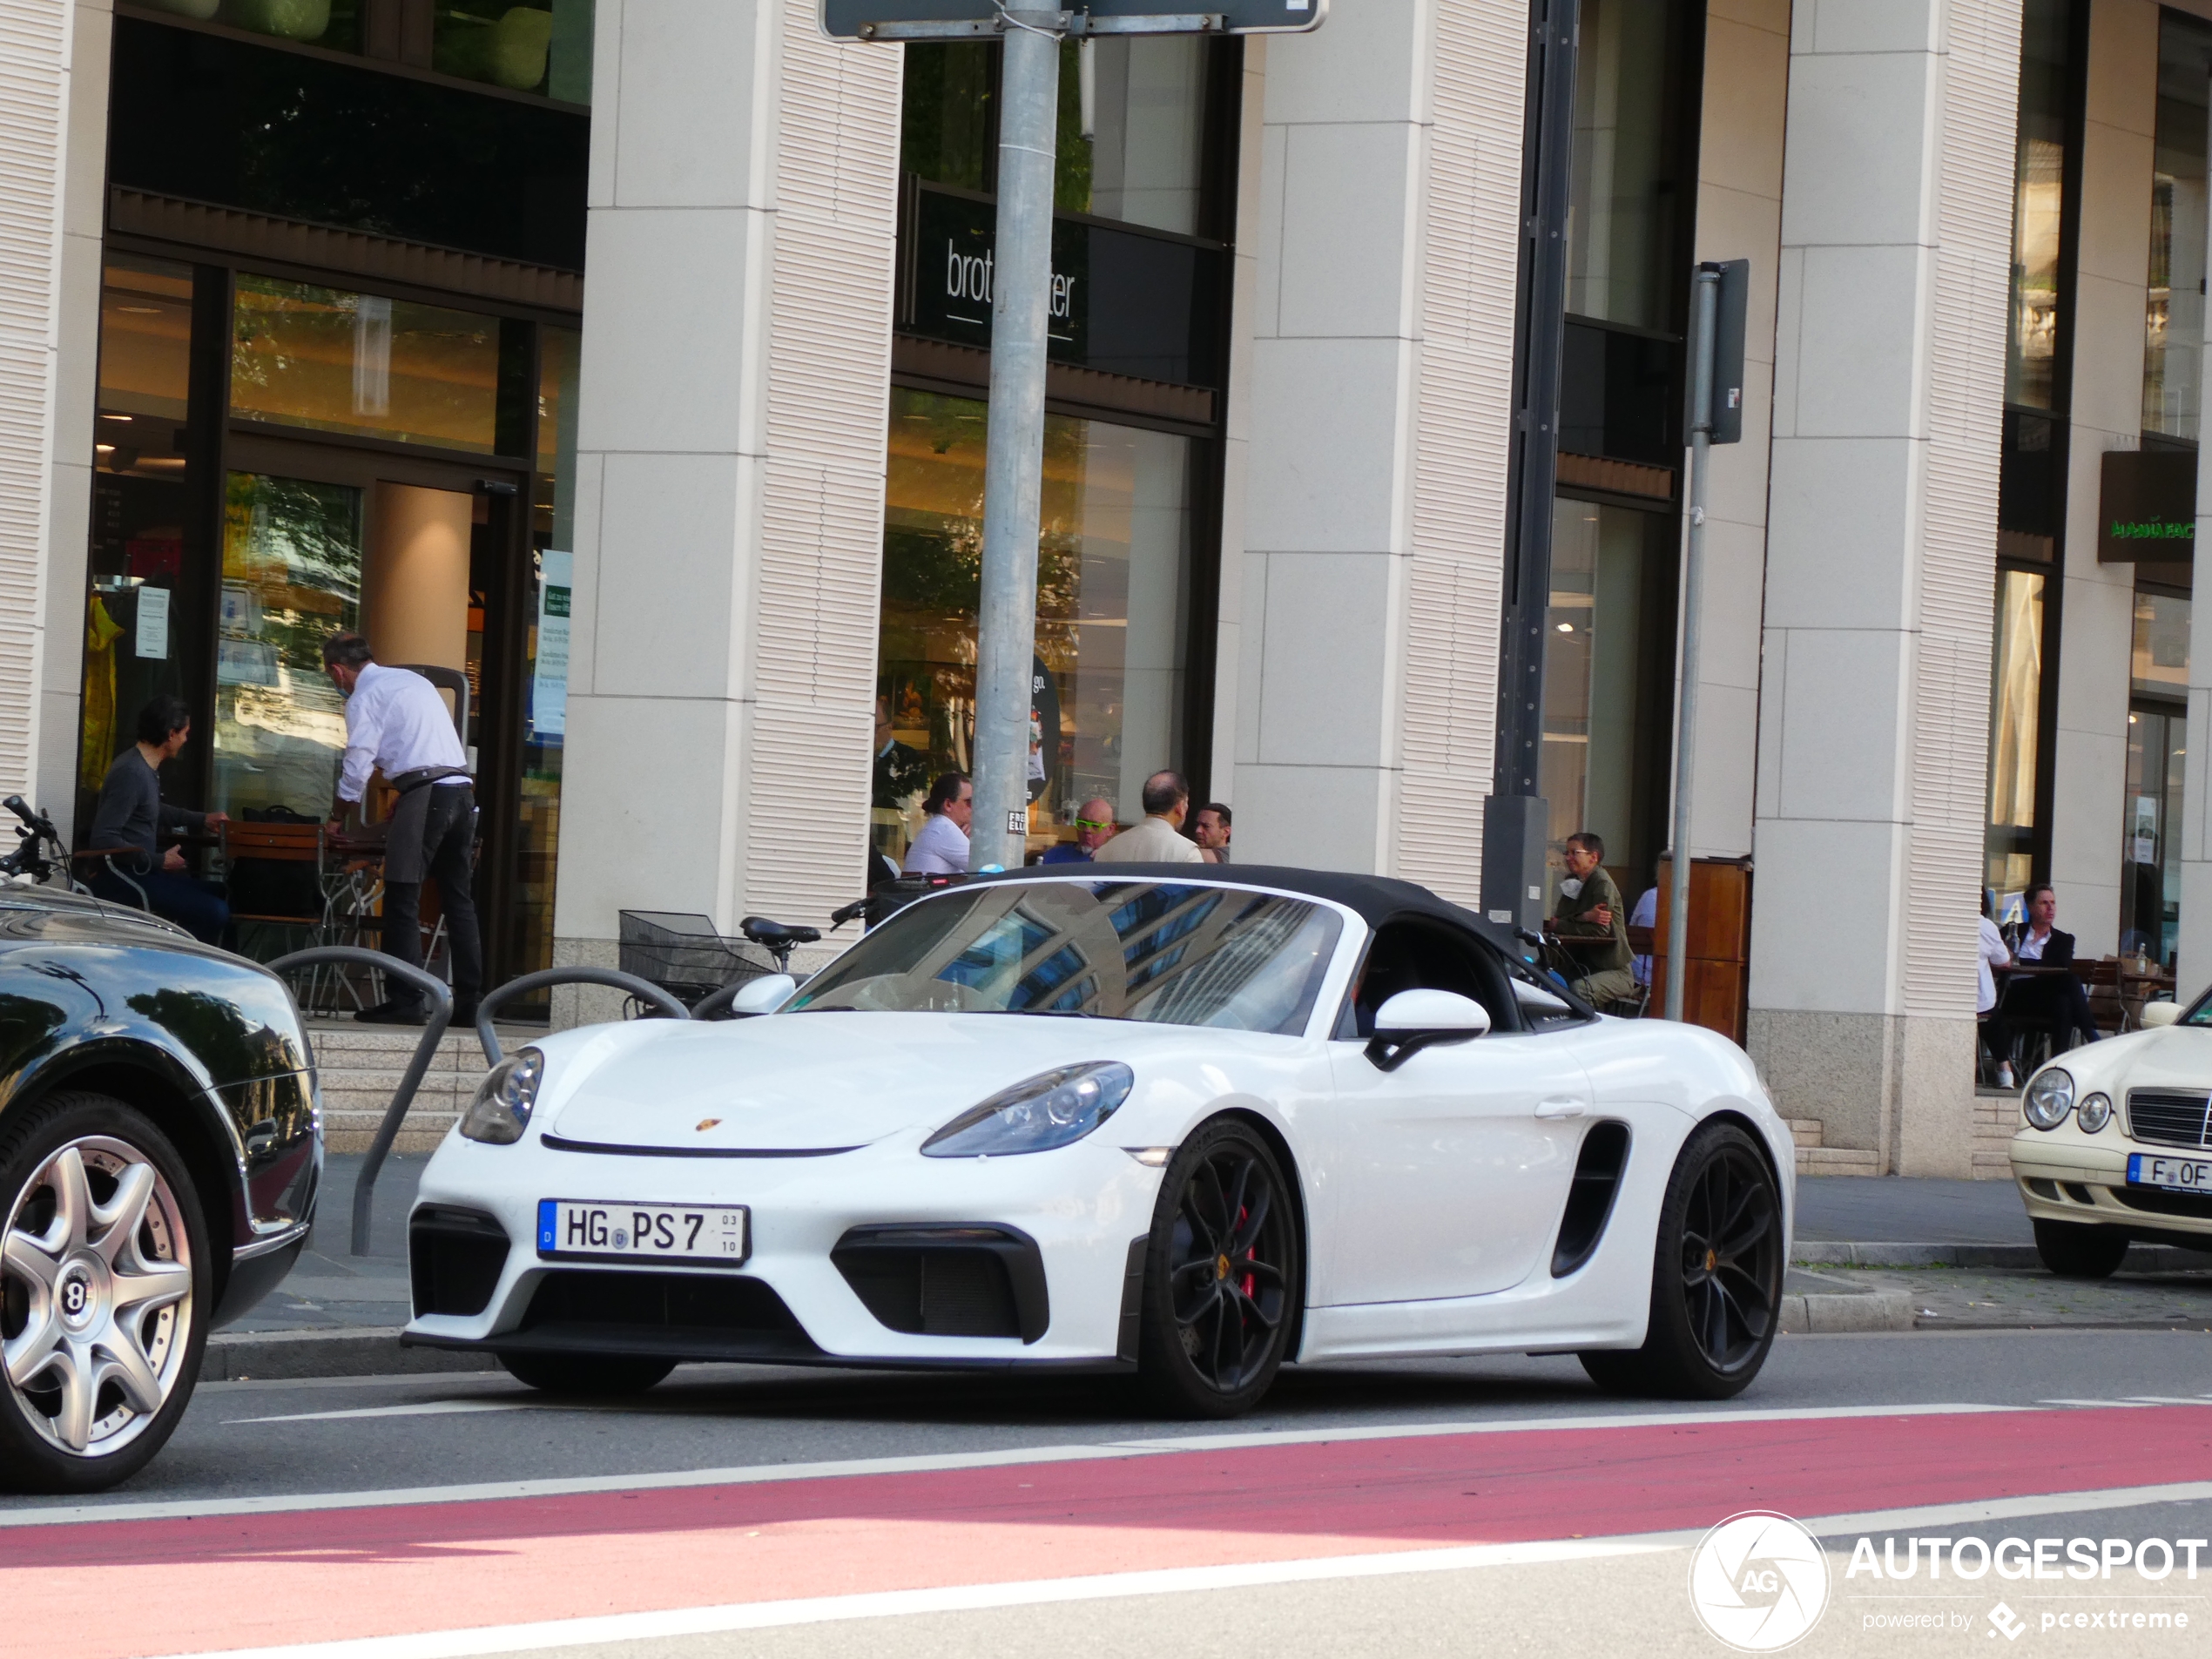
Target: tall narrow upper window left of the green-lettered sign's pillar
(2047, 32)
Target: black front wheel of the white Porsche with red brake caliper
(1224, 1277)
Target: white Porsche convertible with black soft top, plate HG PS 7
(1136, 1116)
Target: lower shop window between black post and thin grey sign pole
(1605, 720)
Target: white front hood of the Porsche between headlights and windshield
(815, 1083)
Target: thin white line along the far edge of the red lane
(928, 1463)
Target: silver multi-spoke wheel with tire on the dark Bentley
(105, 1293)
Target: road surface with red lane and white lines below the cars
(1446, 1507)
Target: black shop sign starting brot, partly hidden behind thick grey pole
(1123, 302)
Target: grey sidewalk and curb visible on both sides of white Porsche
(1870, 1255)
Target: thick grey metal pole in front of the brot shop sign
(1014, 461)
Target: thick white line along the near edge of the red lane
(662, 1625)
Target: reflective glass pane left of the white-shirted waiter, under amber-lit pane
(291, 581)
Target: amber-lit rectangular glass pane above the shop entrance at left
(366, 366)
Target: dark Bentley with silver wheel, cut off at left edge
(160, 1154)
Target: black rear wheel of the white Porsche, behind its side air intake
(1718, 1277)
